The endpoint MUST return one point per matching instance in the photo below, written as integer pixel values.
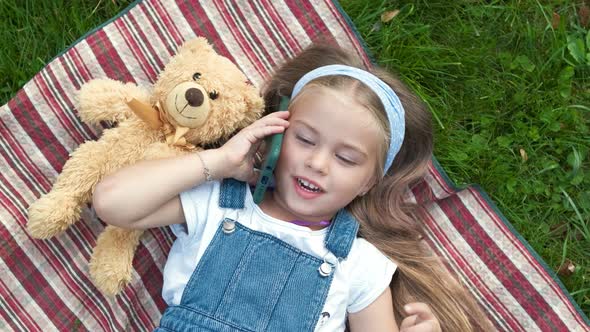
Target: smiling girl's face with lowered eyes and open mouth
(329, 154)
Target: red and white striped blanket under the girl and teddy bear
(44, 285)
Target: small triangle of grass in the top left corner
(34, 32)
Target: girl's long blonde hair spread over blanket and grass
(386, 220)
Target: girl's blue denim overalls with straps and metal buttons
(252, 281)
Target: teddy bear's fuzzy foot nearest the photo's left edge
(51, 215)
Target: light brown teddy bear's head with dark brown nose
(206, 93)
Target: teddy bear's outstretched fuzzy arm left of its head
(104, 100)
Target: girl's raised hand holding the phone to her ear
(239, 151)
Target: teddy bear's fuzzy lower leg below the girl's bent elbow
(111, 265)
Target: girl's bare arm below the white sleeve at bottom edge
(377, 316)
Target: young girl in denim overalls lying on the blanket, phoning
(323, 246)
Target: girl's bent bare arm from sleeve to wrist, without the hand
(145, 194)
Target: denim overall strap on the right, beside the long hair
(342, 233)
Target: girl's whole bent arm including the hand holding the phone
(145, 194)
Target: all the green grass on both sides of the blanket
(508, 87)
